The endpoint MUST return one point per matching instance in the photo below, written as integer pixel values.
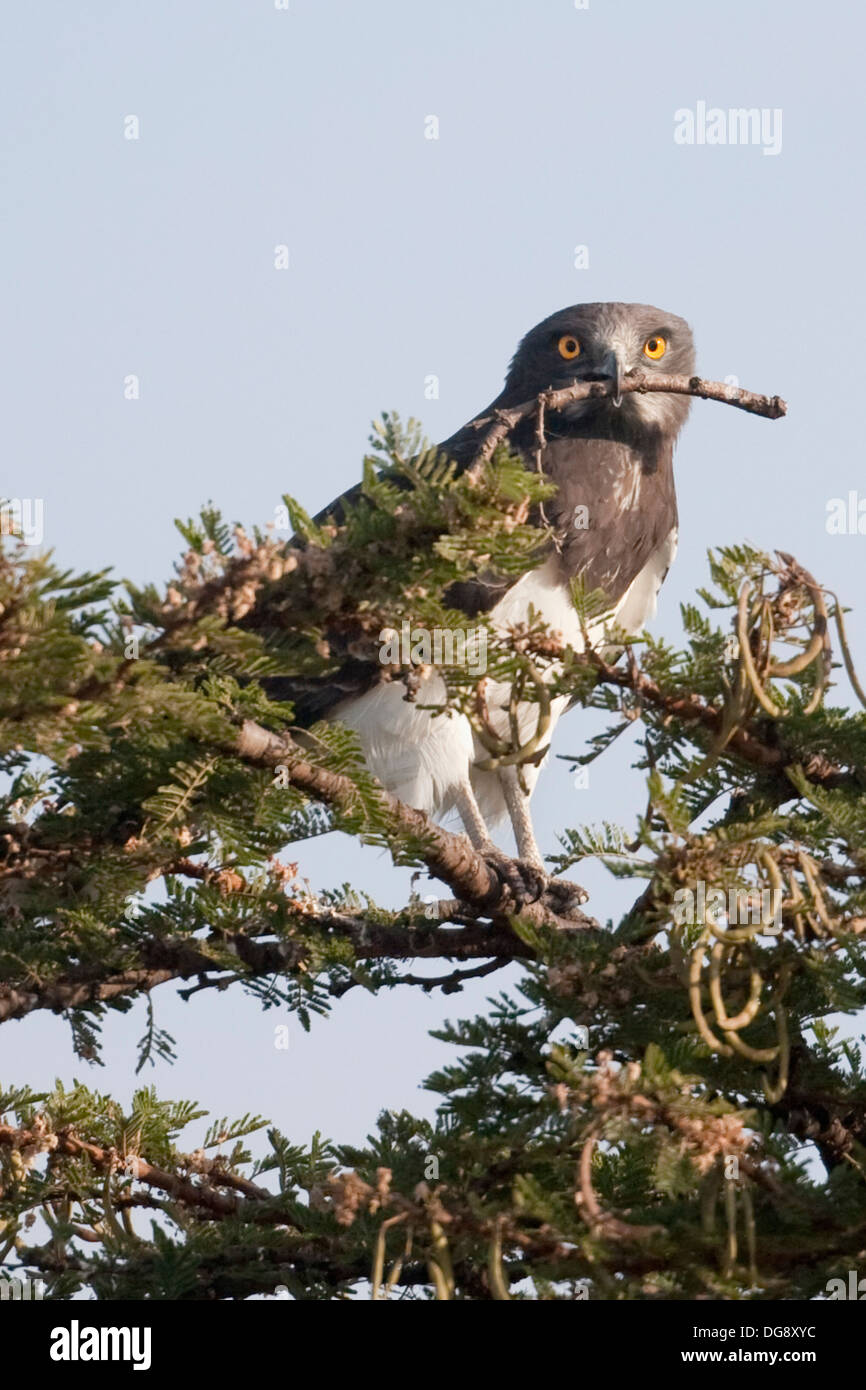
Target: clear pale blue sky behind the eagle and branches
(408, 258)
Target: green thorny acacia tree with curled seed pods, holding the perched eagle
(155, 796)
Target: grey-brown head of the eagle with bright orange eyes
(605, 343)
